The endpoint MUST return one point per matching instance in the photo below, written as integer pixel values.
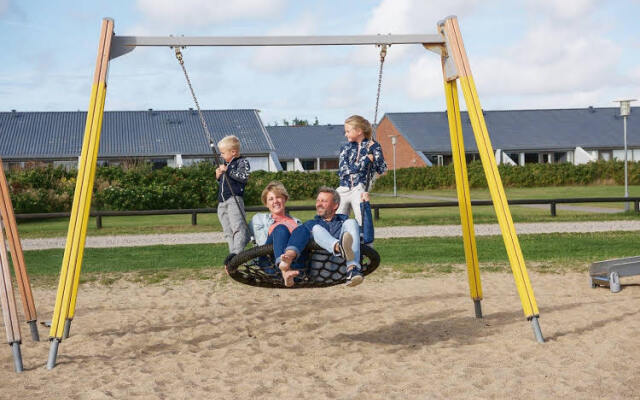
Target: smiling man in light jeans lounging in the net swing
(335, 233)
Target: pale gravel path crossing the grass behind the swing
(381, 233)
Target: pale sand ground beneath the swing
(390, 338)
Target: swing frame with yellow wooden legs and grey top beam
(455, 67)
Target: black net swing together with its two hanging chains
(256, 266)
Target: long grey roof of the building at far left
(128, 133)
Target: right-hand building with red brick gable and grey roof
(517, 136)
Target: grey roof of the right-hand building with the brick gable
(521, 130)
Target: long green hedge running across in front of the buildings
(142, 188)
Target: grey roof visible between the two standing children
(322, 141)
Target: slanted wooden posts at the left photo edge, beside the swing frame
(7, 298)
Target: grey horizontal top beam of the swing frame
(124, 44)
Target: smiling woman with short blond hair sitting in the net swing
(275, 227)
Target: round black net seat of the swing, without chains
(256, 267)
